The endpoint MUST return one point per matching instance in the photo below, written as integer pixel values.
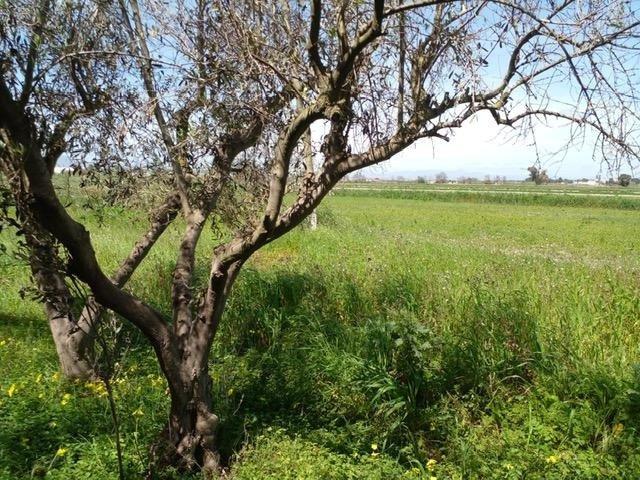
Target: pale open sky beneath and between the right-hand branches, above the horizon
(482, 148)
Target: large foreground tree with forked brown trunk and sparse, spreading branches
(220, 94)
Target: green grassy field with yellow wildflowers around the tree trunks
(415, 334)
